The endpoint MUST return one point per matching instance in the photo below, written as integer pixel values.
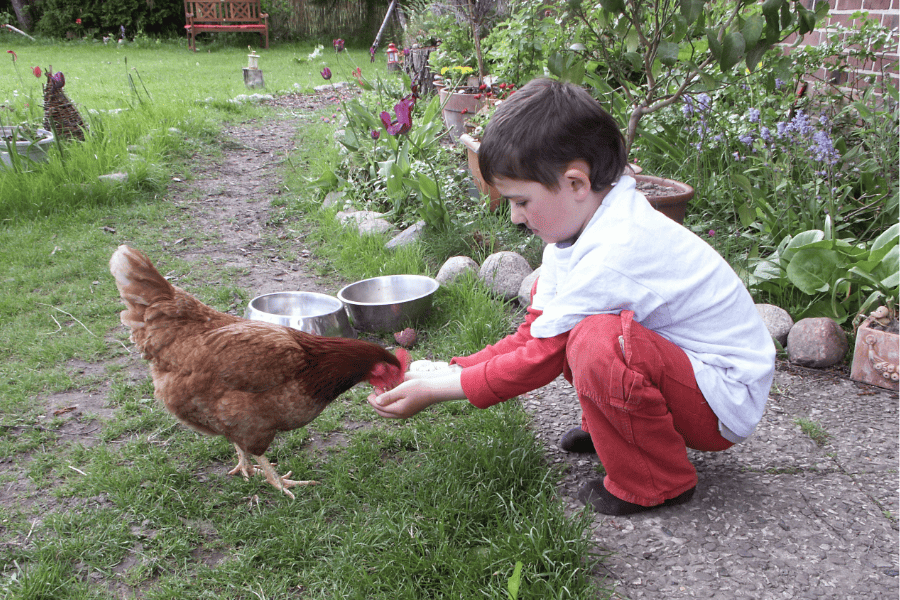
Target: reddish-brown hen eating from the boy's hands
(245, 380)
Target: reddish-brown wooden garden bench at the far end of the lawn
(236, 16)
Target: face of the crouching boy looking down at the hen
(552, 215)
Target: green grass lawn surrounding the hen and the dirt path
(441, 506)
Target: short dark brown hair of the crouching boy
(544, 126)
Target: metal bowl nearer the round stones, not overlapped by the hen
(388, 303)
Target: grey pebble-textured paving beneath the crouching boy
(779, 516)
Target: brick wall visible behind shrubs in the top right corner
(888, 14)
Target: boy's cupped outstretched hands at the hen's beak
(417, 394)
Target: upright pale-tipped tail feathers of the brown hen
(139, 283)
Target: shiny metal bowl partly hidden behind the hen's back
(311, 312)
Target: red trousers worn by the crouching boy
(641, 405)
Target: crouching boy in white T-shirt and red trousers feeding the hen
(656, 333)
